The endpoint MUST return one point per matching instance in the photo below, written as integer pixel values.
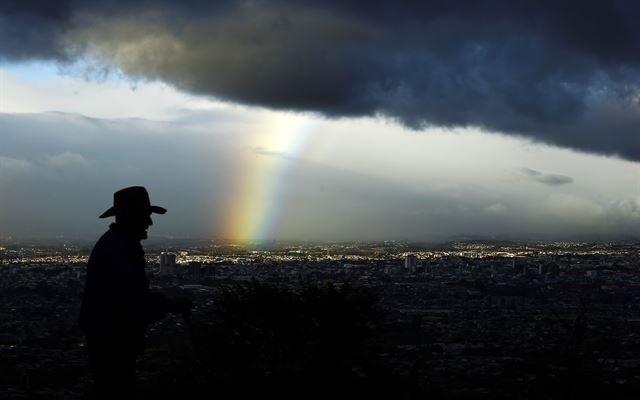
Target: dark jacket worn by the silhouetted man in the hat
(117, 304)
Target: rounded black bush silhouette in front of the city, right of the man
(289, 343)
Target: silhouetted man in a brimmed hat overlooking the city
(117, 305)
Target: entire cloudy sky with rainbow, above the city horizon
(323, 120)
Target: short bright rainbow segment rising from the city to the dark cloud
(254, 205)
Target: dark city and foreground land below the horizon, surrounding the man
(457, 327)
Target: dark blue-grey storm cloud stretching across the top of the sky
(563, 72)
